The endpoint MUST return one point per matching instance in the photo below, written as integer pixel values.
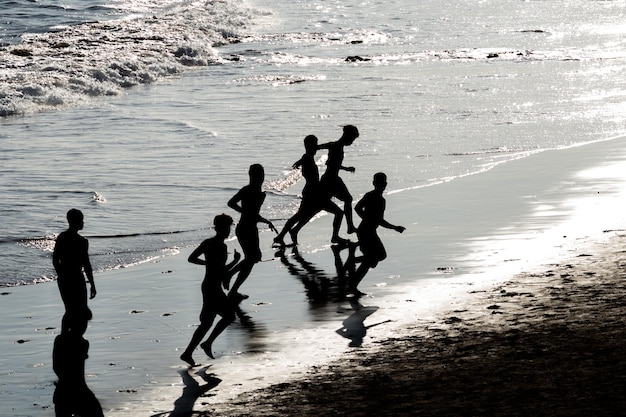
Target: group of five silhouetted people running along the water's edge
(317, 196)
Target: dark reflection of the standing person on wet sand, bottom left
(72, 396)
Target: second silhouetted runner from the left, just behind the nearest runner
(248, 202)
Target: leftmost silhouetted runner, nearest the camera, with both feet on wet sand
(214, 301)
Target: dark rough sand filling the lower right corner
(551, 343)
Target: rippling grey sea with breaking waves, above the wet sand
(146, 115)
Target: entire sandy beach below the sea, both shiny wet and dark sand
(518, 314)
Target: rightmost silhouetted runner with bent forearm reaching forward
(371, 209)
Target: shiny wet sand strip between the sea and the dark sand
(145, 315)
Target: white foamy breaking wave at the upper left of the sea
(77, 63)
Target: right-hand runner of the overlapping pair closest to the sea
(332, 183)
